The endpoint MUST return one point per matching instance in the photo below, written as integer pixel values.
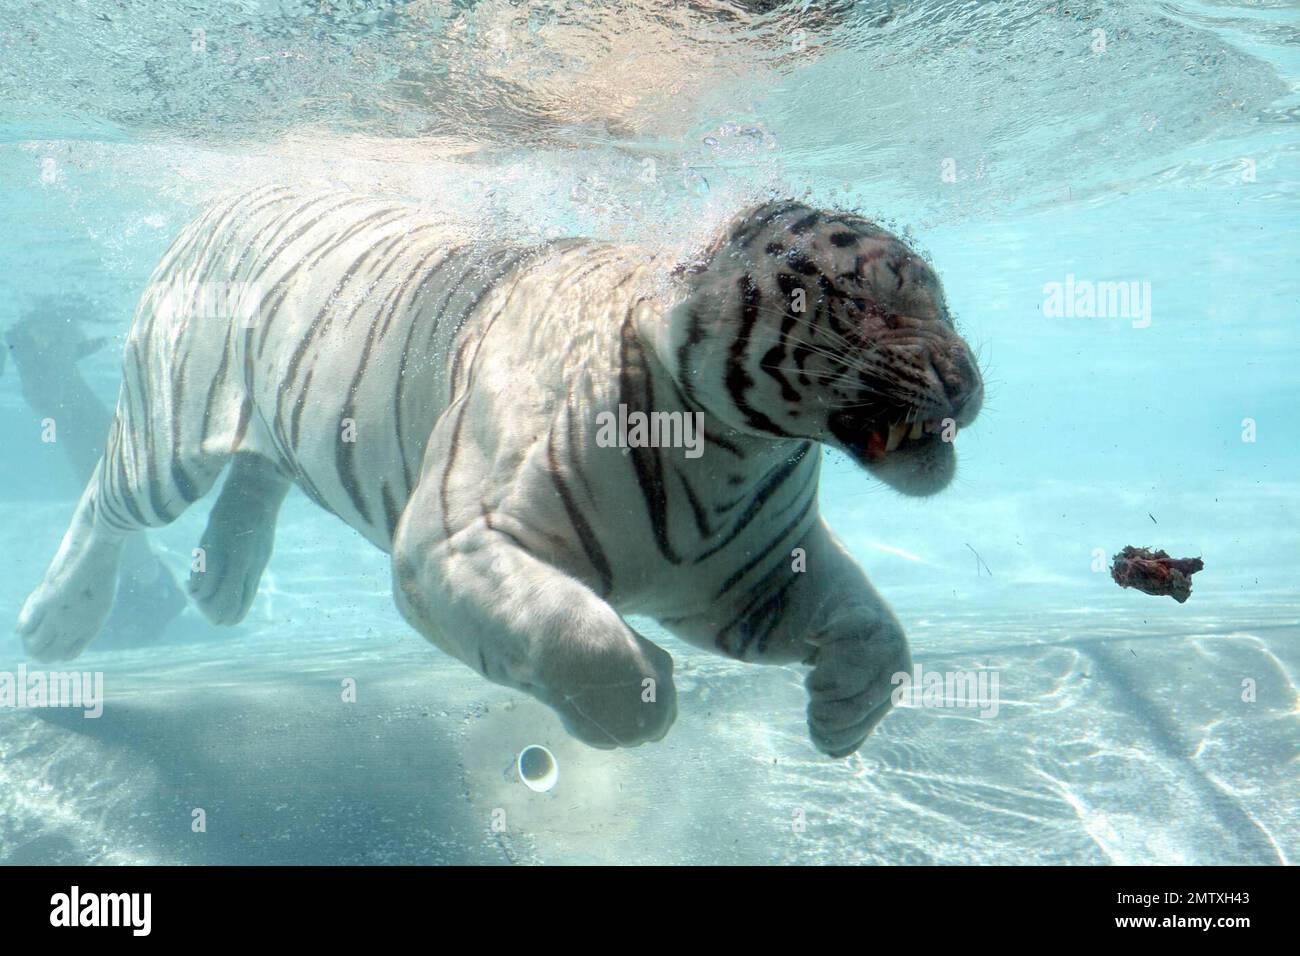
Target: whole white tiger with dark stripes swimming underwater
(444, 399)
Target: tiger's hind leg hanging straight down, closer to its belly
(237, 544)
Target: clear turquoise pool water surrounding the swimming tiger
(1024, 148)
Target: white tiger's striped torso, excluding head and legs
(365, 347)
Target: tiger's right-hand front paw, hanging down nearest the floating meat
(851, 685)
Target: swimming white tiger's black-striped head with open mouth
(813, 325)
